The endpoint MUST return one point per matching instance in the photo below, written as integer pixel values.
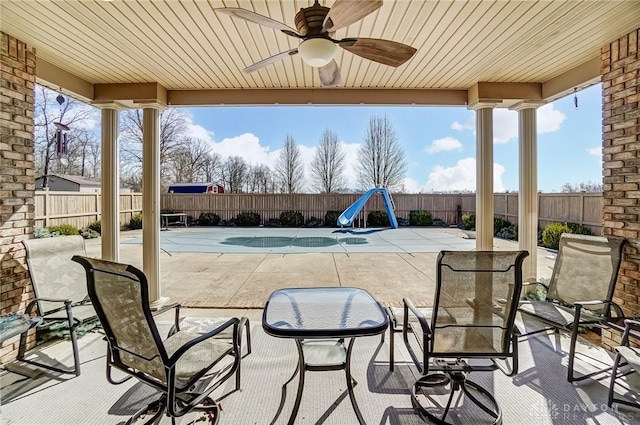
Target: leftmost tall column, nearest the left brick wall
(110, 186)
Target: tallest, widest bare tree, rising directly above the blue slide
(381, 159)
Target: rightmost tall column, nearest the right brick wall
(528, 193)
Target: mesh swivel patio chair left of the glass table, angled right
(185, 368)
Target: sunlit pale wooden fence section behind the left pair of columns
(79, 209)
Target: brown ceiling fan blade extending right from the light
(386, 52)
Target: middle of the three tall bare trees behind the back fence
(327, 167)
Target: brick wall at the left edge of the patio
(17, 184)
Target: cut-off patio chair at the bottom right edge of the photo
(627, 357)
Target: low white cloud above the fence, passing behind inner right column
(461, 176)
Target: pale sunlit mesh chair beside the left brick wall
(60, 291)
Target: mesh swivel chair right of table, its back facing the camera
(470, 329)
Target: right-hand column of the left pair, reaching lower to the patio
(151, 202)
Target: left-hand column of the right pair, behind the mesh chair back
(484, 177)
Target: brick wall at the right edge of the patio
(621, 167)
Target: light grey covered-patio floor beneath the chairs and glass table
(539, 394)
